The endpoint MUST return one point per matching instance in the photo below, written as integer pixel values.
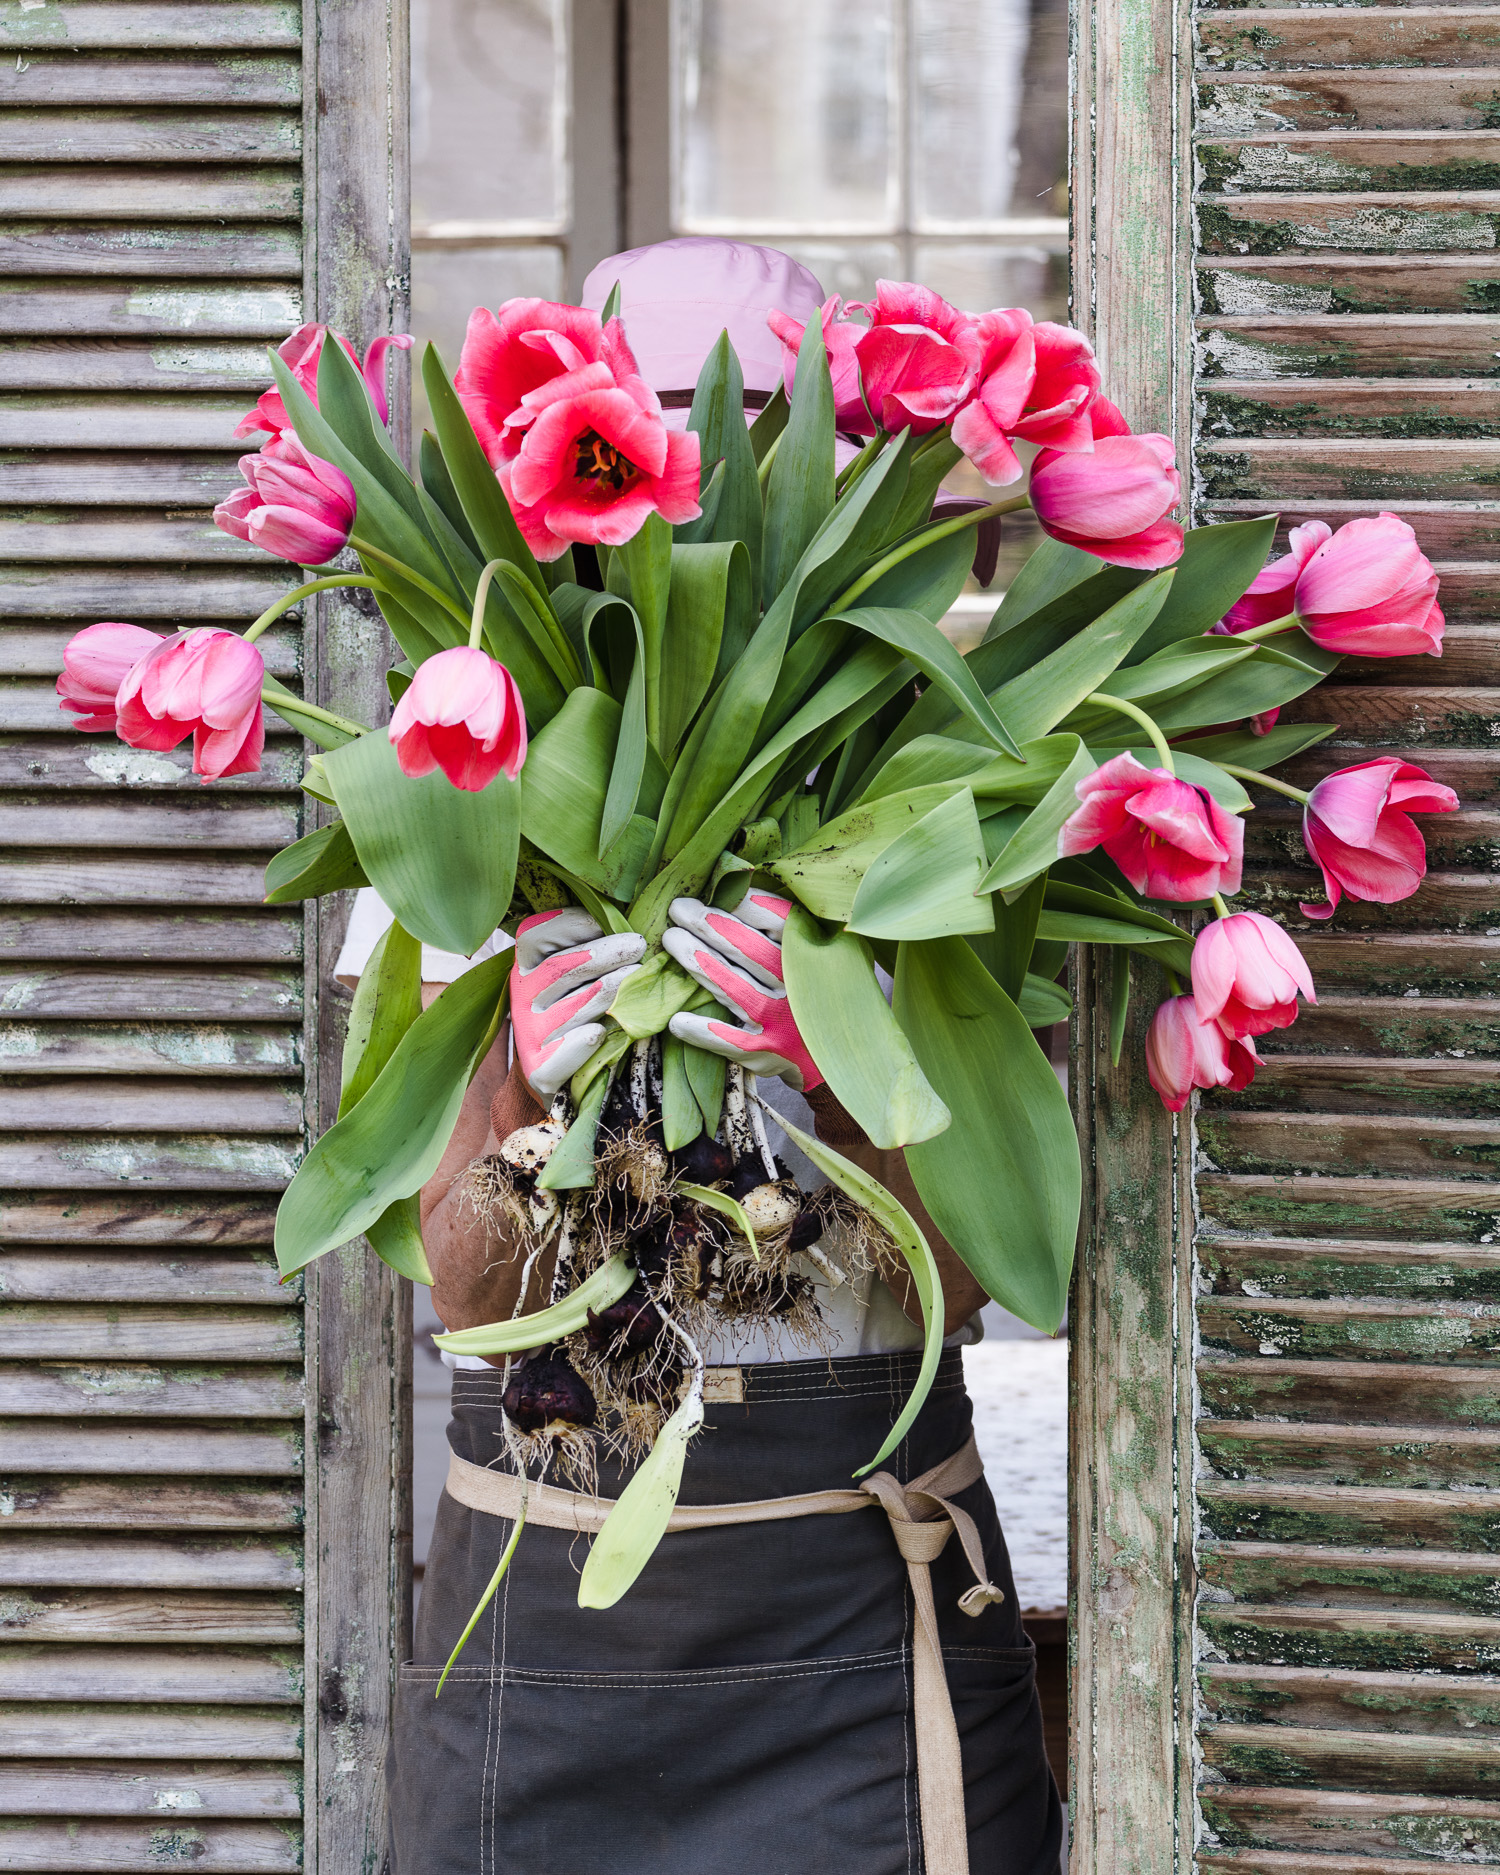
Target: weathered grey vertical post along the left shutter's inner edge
(357, 275)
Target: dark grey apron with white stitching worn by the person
(747, 1705)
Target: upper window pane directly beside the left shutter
(488, 113)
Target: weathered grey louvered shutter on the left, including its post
(172, 1544)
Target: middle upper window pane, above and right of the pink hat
(787, 115)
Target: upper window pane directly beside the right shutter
(989, 110)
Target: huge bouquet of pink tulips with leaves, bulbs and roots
(646, 670)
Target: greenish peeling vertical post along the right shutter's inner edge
(1132, 1387)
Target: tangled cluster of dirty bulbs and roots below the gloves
(698, 1278)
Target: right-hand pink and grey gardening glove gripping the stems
(740, 959)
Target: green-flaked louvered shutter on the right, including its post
(1289, 1587)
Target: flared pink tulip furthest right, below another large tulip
(1360, 832)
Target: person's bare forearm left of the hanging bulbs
(475, 1263)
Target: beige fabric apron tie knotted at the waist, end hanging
(922, 1522)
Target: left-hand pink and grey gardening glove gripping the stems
(565, 978)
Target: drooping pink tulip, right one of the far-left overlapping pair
(205, 685)
